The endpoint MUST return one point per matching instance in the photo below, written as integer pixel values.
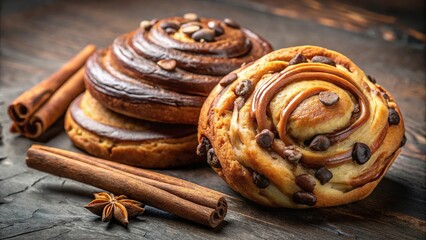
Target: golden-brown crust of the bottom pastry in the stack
(158, 152)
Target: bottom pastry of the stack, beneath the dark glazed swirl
(109, 135)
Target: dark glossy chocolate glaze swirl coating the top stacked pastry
(128, 69)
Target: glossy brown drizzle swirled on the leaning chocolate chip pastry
(306, 72)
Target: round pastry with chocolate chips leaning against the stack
(301, 127)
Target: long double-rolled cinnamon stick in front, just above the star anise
(183, 199)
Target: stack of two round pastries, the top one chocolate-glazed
(145, 91)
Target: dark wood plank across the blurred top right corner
(390, 20)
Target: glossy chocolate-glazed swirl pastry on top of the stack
(164, 70)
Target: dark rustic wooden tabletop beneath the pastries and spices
(36, 39)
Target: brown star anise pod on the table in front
(109, 206)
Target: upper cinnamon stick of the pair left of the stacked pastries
(26, 104)
